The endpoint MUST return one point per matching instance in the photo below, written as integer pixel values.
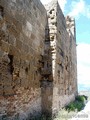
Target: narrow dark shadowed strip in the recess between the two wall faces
(47, 79)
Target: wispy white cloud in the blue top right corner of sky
(78, 8)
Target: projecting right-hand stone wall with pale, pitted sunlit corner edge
(63, 49)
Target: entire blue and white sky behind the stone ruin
(80, 10)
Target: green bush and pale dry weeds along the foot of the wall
(70, 110)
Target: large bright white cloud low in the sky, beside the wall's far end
(83, 64)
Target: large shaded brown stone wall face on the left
(22, 35)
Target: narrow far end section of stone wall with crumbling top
(70, 23)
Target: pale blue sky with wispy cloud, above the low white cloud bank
(80, 9)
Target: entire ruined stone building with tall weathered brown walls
(38, 72)
